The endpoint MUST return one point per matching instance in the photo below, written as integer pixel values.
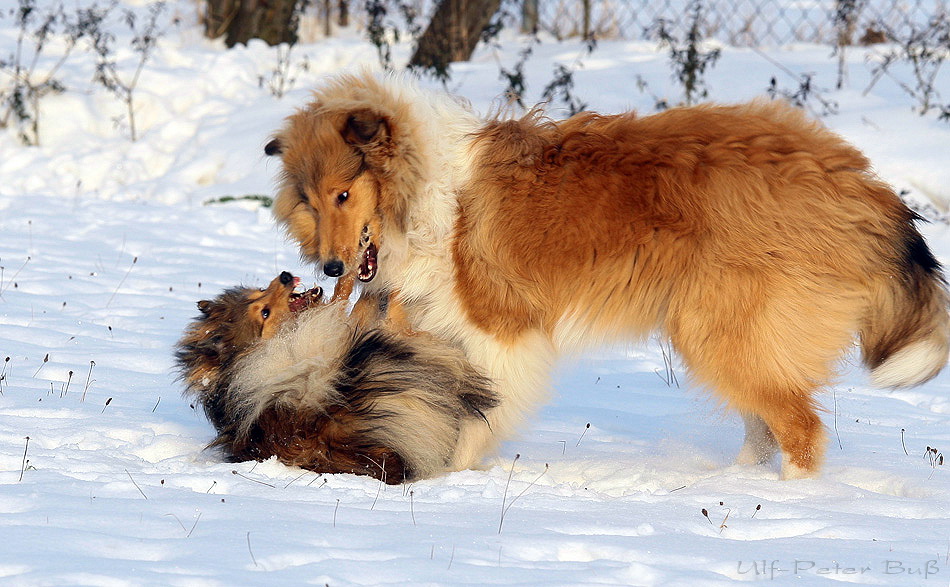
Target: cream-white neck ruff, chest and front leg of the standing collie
(419, 265)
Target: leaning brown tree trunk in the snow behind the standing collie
(453, 33)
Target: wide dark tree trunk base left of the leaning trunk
(273, 21)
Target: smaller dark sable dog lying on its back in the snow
(280, 375)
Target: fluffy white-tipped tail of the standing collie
(906, 338)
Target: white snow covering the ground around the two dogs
(106, 244)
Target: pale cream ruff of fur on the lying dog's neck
(297, 366)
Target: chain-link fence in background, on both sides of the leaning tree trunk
(734, 22)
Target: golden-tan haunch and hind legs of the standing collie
(766, 351)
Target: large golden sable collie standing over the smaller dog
(759, 242)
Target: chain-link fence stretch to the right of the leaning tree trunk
(734, 22)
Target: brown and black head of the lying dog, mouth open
(231, 323)
